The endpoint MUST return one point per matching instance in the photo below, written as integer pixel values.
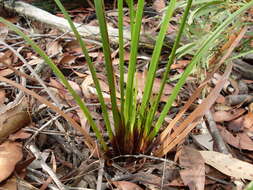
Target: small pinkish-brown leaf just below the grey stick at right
(221, 116)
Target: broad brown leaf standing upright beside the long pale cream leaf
(194, 173)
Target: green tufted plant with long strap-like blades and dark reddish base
(135, 124)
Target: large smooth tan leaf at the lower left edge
(10, 154)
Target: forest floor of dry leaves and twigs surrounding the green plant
(41, 150)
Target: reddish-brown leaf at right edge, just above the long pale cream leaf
(239, 140)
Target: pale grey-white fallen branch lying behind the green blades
(90, 32)
